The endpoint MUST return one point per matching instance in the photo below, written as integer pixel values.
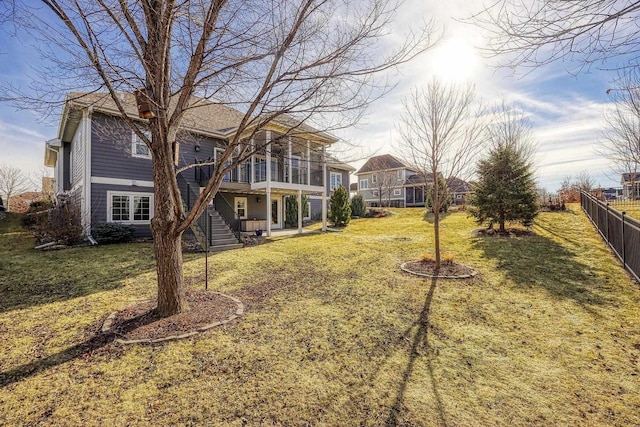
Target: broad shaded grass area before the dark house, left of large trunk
(30, 278)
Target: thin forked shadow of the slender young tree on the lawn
(420, 339)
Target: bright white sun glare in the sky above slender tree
(455, 60)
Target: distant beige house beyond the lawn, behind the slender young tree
(389, 180)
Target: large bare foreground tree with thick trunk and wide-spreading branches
(300, 58)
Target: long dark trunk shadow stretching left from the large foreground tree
(84, 349)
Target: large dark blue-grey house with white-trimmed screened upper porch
(102, 167)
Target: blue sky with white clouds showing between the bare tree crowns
(566, 111)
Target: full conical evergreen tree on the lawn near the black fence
(505, 190)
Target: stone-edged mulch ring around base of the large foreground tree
(139, 323)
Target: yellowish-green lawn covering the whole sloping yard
(334, 333)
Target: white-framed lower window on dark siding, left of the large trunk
(129, 208)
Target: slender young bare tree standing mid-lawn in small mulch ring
(441, 134)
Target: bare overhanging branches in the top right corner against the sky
(532, 33)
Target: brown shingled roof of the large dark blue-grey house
(203, 116)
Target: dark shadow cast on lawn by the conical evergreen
(539, 261)
